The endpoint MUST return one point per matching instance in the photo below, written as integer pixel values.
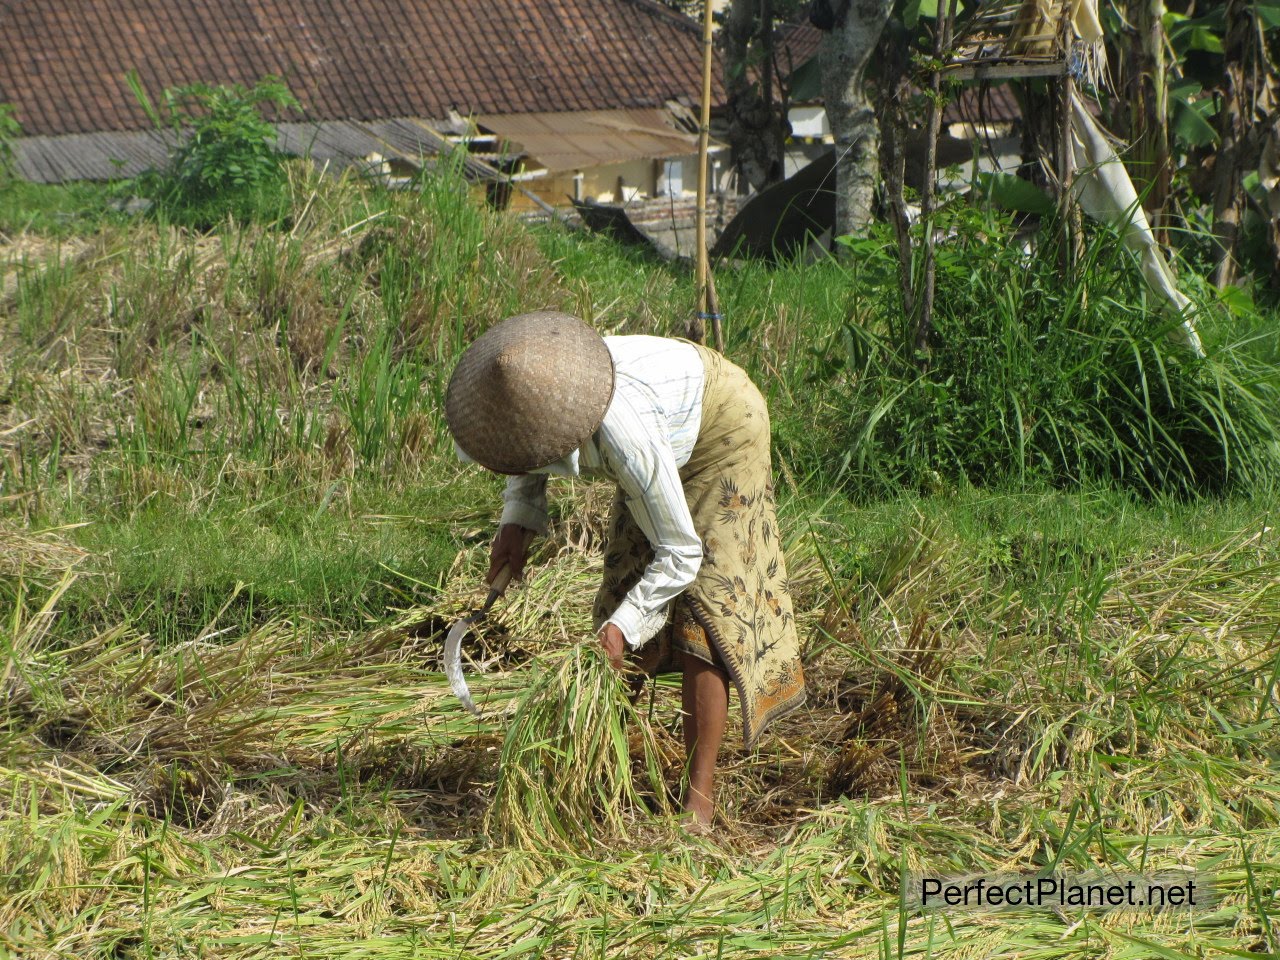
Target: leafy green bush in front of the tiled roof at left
(226, 163)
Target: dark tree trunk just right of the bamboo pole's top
(758, 127)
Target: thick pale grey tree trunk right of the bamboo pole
(844, 56)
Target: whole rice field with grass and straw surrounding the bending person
(1039, 589)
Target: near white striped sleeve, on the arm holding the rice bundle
(642, 461)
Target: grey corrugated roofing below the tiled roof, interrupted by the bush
(106, 157)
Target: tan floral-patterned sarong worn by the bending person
(738, 612)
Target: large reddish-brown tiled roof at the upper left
(63, 63)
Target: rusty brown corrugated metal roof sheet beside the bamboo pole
(572, 141)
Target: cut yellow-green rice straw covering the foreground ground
(300, 789)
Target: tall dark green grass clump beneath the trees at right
(1034, 378)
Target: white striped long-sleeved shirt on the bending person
(648, 433)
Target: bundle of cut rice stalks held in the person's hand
(565, 778)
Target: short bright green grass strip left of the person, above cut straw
(337, 552)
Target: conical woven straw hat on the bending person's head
(529, 392)
